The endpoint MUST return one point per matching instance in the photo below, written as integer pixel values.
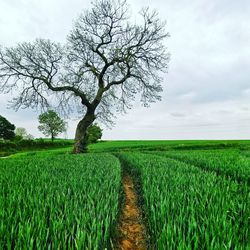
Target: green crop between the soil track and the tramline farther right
(188, 208)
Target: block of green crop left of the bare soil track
(58, 202)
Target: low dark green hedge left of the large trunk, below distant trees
(10, 147)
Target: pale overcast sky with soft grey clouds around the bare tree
(207, 89)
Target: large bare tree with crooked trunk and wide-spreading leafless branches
(106, 61)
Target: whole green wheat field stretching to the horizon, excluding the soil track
(194, 195)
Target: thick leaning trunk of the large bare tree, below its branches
(81, 132)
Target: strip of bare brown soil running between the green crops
(131, 229)
